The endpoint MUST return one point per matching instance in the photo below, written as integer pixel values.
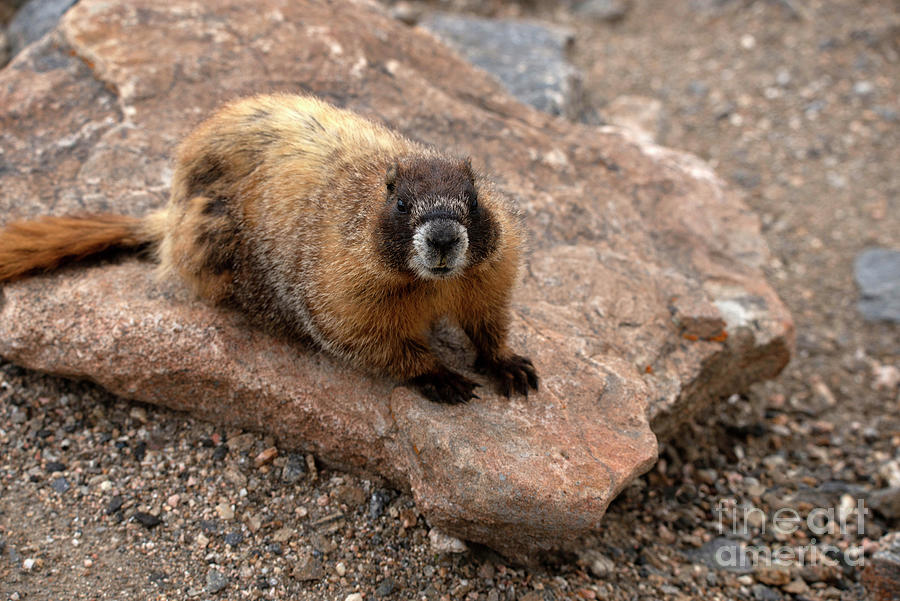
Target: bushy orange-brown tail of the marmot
(47, 242)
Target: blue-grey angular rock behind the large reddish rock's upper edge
(529, 59)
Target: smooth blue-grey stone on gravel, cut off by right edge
(877, 272)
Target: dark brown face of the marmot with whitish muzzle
(433, 224)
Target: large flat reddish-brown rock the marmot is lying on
(641, 303)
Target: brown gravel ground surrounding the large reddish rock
(796, 104)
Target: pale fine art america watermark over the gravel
(823, 537)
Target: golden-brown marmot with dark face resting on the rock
(321, 225)
